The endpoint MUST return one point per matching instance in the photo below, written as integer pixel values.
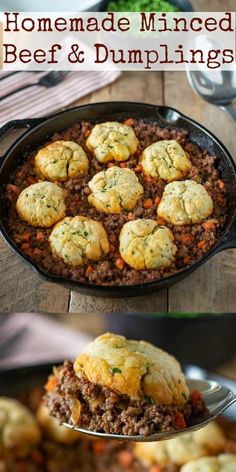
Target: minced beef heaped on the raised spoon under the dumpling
(104, 410)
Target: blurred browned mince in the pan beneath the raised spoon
(89, 456)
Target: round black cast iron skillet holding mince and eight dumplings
(38, 131)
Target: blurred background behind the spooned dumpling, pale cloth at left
(204, 340)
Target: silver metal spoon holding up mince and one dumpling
(217, 399)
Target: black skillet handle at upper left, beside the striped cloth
(9, 128)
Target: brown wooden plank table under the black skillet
(211, 288)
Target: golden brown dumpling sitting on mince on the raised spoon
(135, 368)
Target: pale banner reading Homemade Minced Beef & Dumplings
(124, 41)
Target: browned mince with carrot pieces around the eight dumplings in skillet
(198, 241)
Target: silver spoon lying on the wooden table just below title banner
(217, 88)
